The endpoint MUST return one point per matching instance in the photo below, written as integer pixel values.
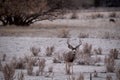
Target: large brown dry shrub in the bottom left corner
(8, 72)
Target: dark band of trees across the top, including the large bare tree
(25, 12)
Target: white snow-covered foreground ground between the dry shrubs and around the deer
(20, 46)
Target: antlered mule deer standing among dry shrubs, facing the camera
(70, 56)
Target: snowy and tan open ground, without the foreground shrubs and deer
(16, 42)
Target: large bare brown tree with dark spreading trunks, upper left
(22, 12)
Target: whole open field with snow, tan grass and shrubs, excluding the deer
(48, 63)
